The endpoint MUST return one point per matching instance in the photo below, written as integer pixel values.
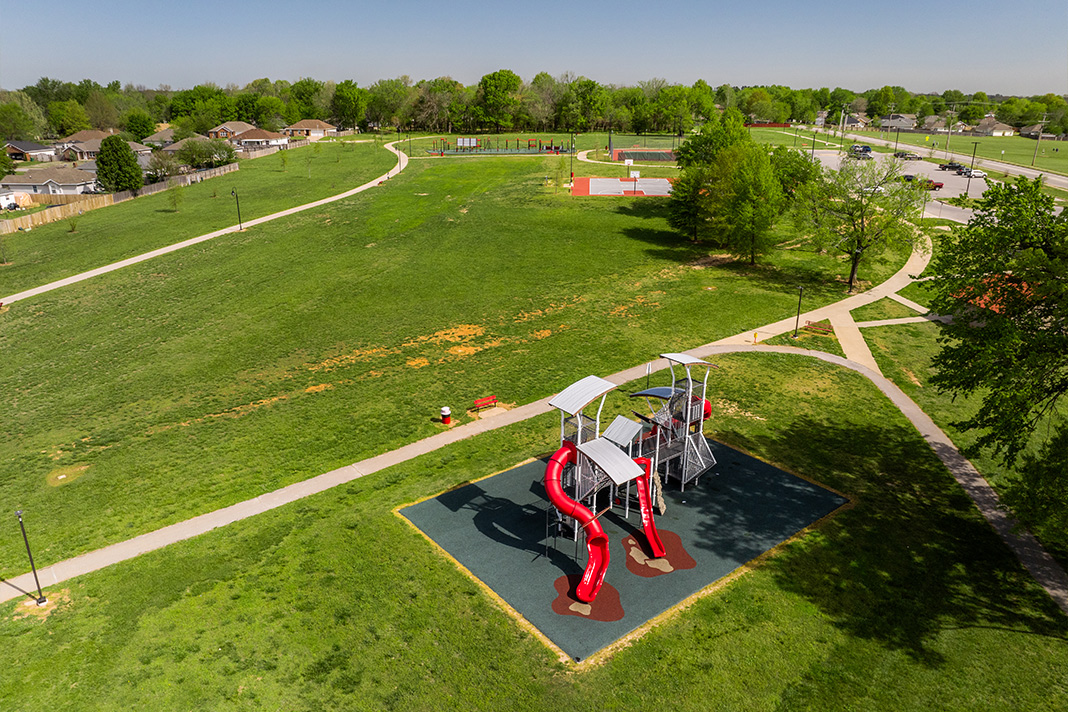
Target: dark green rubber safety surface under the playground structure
(498, 530)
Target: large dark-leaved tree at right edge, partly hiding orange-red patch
(1003, 277)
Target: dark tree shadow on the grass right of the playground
(914, 558)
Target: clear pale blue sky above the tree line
(997, 48)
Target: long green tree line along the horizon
(500, 101)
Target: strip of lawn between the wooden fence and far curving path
(264, 186)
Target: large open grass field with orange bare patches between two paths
(228, 370)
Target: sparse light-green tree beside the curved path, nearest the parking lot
(859, 210)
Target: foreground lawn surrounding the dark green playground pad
(907, 602)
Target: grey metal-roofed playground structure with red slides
(590, 463)
